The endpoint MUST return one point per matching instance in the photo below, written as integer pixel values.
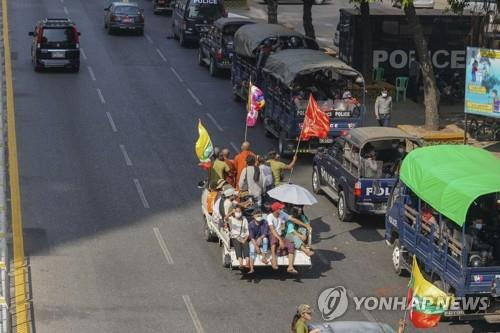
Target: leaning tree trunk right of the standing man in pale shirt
(431, 92)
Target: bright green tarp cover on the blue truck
(450, 177)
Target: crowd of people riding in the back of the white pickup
(258, 226)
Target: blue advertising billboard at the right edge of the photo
(482, 82)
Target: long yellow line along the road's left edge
(20, 306)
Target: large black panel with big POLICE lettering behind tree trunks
(393, 39)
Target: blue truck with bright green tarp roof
(443, 193)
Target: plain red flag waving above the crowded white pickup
(316, 122)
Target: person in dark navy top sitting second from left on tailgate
(259, 239)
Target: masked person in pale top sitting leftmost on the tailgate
(238, 226)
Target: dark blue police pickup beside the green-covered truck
(360, 169)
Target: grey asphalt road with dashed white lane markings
(108, 175)
